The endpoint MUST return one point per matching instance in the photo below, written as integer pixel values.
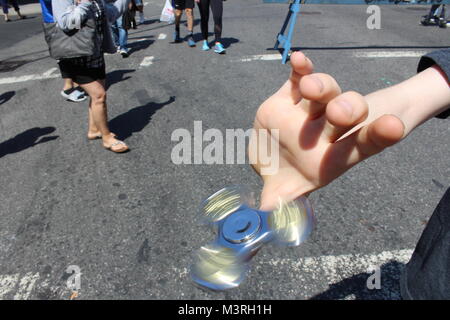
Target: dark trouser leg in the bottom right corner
(427, 274)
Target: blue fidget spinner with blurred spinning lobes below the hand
(241, 231)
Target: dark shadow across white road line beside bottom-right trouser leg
(357, 285)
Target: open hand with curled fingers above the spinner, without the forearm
(313, 118)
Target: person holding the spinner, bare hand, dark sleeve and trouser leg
(311, 107)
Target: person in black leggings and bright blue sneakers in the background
(217, 10)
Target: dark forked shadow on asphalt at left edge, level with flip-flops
(26, 139)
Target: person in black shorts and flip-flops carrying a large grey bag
(90, 72)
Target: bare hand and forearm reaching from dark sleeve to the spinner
(324, 132)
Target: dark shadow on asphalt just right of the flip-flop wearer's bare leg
(136, 119)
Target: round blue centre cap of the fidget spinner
(241, 226)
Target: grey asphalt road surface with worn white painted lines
(128, 221)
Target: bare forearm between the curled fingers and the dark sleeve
(413, 101)
